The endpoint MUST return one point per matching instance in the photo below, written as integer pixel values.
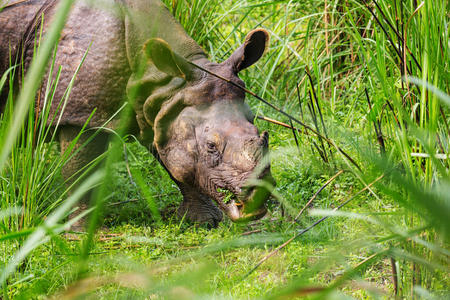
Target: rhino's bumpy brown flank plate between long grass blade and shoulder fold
(101, 81)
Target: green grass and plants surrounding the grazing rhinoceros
(371, 78)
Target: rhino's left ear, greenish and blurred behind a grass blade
(168, 61)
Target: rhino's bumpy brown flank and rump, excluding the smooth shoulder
(98, 31)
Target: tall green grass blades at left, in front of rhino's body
(34, 199)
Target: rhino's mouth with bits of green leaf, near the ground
(246, 203)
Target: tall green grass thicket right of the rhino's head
(366, 67)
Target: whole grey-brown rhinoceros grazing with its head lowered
(196, 124)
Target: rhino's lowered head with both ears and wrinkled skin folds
(204, 133)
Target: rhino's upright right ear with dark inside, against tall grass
(251, 51)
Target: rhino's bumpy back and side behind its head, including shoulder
(113, 33)
